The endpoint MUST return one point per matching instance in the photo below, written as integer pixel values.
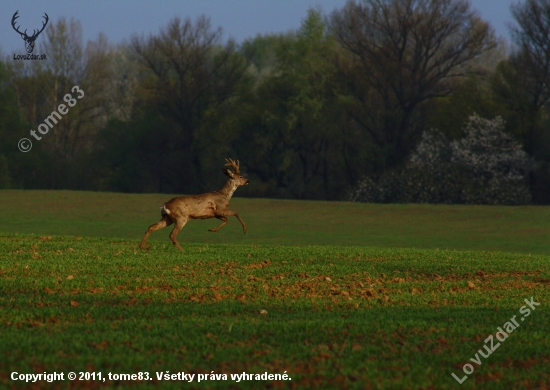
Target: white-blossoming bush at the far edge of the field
(487, 166)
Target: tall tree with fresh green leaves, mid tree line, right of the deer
(287, 126)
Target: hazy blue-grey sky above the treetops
(240, 19)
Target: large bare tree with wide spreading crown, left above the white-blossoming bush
(407, 52)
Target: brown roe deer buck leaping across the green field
(209, 205)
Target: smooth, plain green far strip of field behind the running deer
(524, 229)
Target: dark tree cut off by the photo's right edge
(522, 85)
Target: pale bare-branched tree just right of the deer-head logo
(73, 63)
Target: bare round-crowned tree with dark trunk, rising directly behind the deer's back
(192, 71)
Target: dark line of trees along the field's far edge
(339, 106)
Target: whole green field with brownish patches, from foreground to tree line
(338, 295)
